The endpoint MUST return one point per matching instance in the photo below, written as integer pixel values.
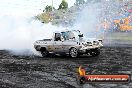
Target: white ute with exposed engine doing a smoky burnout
(68, 42)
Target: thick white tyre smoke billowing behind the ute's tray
(18, 33)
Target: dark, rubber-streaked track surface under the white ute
(18, 71)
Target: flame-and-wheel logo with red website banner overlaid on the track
(104, 78)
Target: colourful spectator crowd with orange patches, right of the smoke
(116, 16)
